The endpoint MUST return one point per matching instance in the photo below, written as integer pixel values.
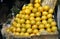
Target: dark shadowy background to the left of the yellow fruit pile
(5, 10)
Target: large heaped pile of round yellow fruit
(32, 20)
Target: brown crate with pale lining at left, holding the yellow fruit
(44, 35)
